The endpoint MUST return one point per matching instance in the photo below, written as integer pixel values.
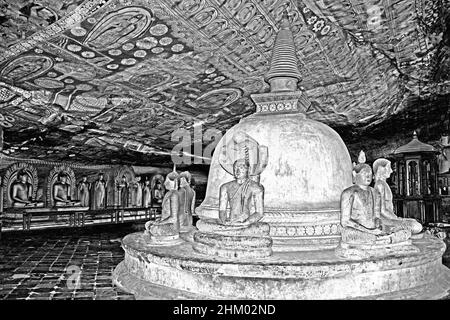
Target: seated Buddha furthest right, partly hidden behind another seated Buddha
(383, 195)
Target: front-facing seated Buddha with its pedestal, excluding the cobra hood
(238, 231)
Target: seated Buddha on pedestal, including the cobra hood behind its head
(238, 231)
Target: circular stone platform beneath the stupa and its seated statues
(178, 272)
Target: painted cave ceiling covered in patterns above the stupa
(99, 81)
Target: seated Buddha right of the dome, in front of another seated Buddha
(363, 233)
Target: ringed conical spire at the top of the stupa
(283, 74)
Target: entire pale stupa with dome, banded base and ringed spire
(308, 165)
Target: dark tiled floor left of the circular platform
(47, 264)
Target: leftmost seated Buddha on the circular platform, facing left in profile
(166, 230)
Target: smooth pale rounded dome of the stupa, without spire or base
(308, 165)
